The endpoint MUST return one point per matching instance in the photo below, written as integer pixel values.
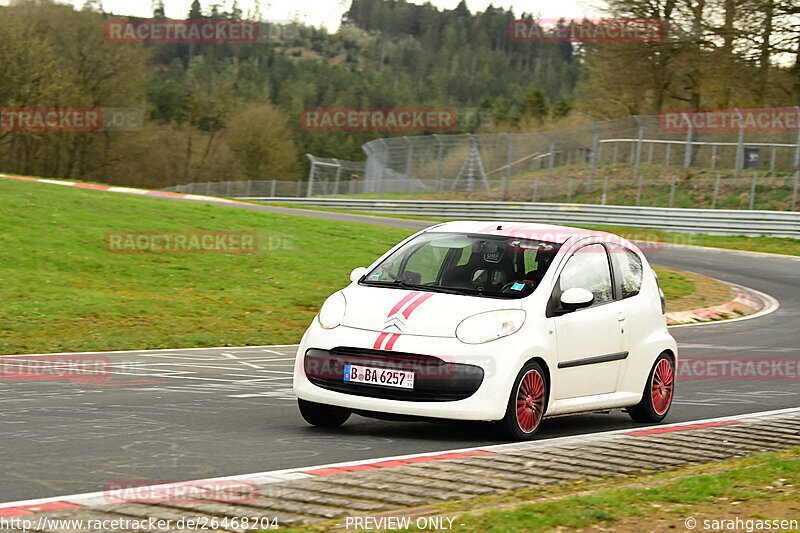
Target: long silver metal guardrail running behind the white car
(705, 221)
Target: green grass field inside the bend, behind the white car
(62, 290)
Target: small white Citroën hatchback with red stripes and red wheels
(492, 321)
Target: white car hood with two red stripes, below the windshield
(414, 312)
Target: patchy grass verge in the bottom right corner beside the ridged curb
(759, 487)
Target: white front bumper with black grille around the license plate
(466, 382)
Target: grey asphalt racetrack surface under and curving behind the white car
(174, 415)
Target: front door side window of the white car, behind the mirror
(588, 268)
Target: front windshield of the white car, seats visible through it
(470, 264)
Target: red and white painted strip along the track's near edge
(27, 507)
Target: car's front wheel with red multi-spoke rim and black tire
(527, 403)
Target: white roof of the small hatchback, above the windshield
(523, 230)
